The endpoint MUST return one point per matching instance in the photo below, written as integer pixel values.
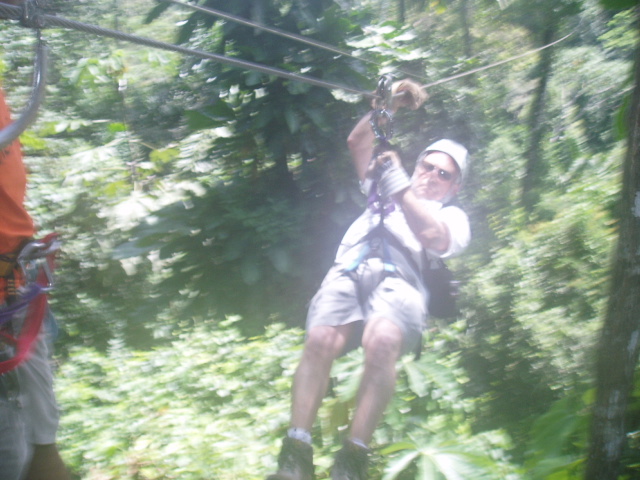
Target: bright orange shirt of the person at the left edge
(15, 223)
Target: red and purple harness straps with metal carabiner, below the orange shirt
(34, 263)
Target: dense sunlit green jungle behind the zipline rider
(200, 205)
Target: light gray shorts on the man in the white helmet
(346, 297)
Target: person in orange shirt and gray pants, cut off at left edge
(28, 410)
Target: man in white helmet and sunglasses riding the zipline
(374, 295)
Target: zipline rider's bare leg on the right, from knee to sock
(382, 342)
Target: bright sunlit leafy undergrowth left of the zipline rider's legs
(186, 411)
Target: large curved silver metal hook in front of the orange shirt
(13, 131)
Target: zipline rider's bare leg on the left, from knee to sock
(324, 344)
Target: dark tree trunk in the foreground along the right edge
(619, 342)
